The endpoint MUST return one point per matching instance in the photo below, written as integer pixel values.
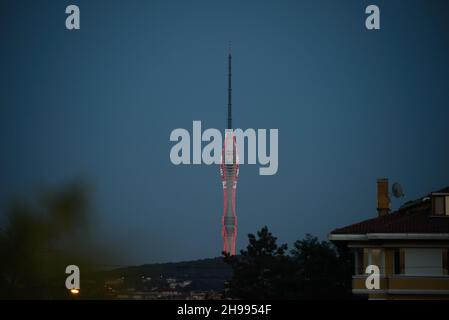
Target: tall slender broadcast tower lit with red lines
(229, 171)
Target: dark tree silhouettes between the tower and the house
(314, 270)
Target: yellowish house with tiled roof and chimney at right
(410, 247)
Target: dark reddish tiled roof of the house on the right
(413, 218)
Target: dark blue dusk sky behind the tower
(351, 105)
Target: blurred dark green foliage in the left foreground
(36, 244)
